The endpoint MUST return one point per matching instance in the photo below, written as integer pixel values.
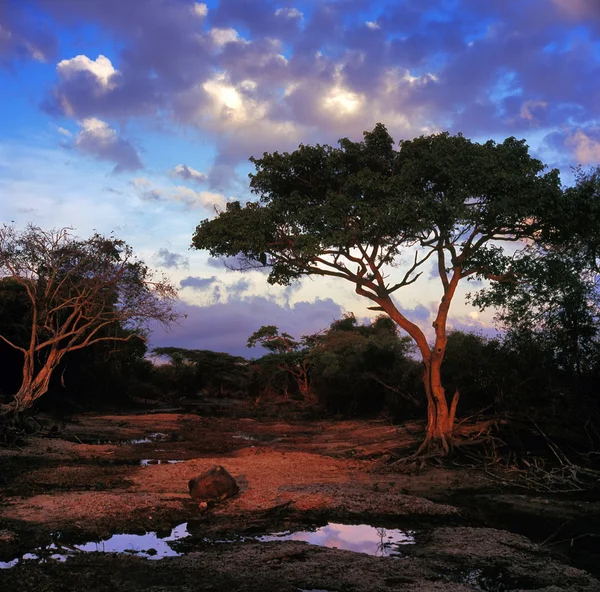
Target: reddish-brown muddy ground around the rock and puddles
(87, 483)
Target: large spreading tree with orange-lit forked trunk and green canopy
(378, 217)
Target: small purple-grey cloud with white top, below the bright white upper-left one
(96, 138)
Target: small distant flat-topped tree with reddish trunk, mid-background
(287, 355)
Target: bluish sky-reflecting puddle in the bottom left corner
(148, 545)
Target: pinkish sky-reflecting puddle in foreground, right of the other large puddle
(361, 538)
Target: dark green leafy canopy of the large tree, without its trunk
(319, 202)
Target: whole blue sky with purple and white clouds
(138, 117)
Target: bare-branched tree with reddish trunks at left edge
(74, 291)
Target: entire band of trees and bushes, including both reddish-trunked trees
(378, 217)
